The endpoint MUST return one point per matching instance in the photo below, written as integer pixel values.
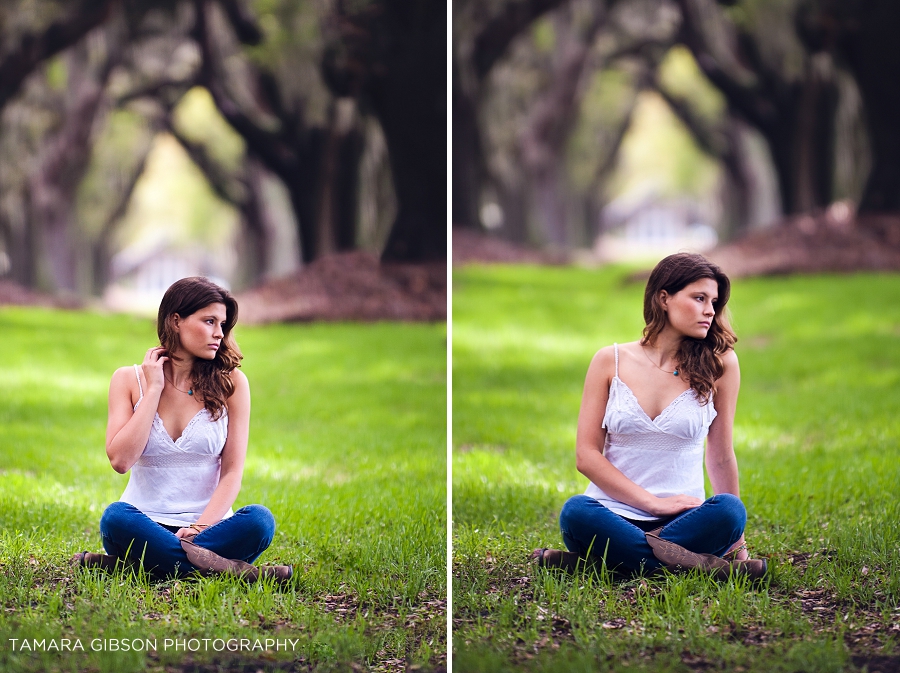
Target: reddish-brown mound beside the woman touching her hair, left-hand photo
(350, 286)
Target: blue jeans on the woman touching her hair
(129, 533)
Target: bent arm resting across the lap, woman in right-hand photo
(591, 438)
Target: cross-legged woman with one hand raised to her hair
(180, 423)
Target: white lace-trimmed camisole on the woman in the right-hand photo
(663, 455)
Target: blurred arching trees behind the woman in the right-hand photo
(575, 117)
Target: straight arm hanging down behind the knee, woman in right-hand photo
(721, 465)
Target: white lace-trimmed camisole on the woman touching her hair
(173, 481)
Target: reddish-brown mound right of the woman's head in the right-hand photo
(815, 244)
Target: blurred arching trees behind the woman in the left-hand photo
(235, 138)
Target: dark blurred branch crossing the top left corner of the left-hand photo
(81, 17)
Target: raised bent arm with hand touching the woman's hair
(127, 428)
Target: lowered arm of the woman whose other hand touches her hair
(233, 454)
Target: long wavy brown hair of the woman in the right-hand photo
(700, 360)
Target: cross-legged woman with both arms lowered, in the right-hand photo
(646, 410)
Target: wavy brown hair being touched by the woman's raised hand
(211, 379)
